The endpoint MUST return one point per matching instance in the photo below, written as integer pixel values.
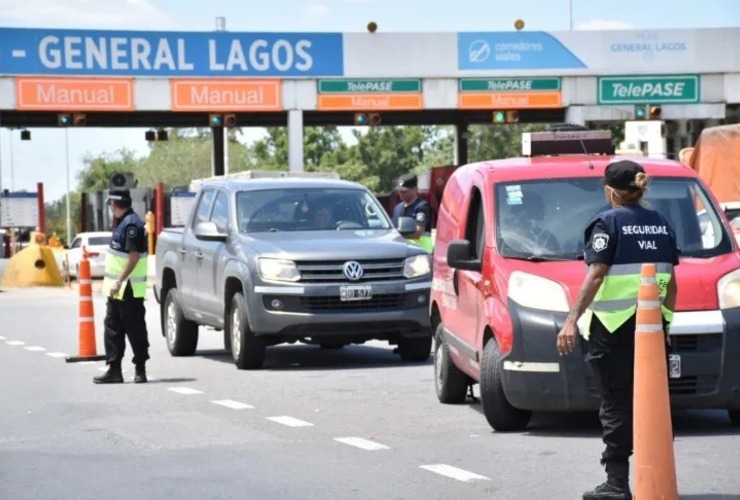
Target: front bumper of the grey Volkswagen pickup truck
(396, 309)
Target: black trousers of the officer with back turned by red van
(612, 359)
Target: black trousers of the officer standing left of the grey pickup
(126, 318)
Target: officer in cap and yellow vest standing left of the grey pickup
(124, 284)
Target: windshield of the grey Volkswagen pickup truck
(309, 209)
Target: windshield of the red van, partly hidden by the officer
(547, 218)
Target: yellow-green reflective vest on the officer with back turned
(616, 300)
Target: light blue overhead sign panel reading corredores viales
(514, 51)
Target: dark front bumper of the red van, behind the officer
(536, 378)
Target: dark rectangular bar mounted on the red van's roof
(567, 142)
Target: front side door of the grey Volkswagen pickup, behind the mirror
(210, 271)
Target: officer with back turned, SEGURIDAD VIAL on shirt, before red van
(617, 242)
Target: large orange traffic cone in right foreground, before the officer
(654, 461)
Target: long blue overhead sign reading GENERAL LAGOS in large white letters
(169, 54)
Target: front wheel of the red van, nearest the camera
(500, 414)
